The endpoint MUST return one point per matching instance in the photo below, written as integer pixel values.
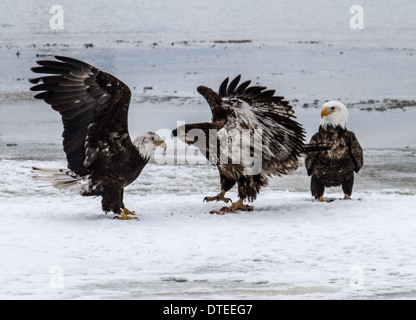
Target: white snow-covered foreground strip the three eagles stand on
(290, 247)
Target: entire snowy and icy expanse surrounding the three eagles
(58, 245)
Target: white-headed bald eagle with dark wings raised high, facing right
(94, 108)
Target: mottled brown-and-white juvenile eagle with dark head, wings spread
(275, 137)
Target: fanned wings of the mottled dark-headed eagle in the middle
(254, 108)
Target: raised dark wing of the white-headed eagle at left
(94, 108)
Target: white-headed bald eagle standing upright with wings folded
(336, 166)
